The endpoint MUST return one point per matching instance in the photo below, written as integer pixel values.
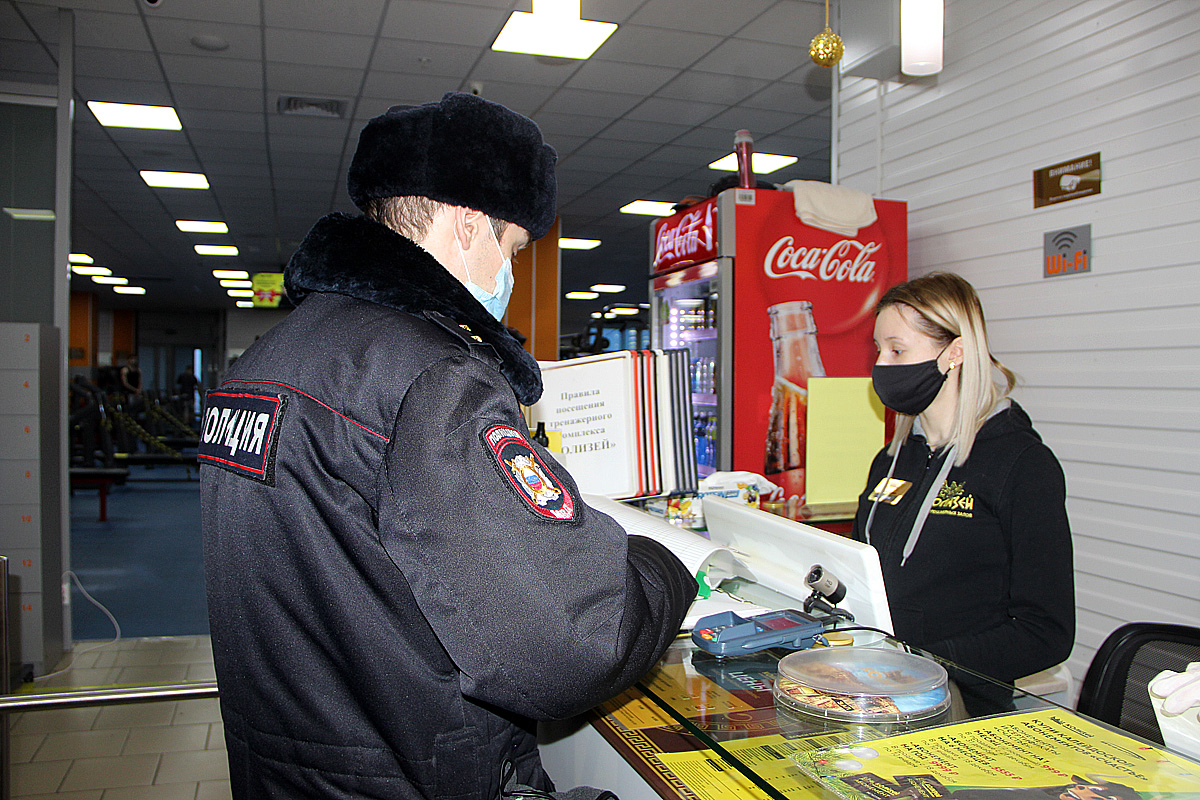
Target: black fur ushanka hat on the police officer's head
(463, 151)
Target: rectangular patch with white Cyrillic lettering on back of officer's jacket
(241, 434)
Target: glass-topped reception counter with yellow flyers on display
(709, 729)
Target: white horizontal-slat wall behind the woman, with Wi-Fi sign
(1109, 360)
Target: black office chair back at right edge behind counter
(1115, 687)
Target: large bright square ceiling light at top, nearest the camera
(556, 29)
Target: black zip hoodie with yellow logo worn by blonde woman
(991, 582)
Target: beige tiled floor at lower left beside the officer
(147, 751)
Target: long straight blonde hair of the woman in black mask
(947, 308)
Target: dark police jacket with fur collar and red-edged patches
(399, 580)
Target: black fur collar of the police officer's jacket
(364, 260)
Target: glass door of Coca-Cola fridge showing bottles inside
(686, 314)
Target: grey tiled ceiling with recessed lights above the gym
(641, 119)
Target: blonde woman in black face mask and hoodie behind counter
(967, 506)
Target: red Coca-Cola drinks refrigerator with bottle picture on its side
(764, 303)
